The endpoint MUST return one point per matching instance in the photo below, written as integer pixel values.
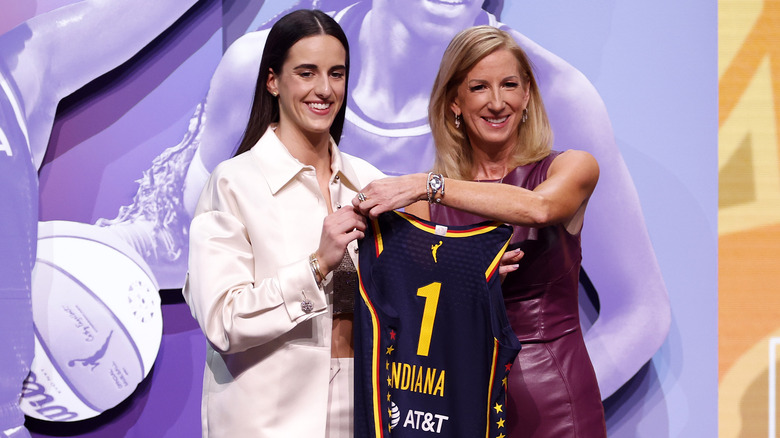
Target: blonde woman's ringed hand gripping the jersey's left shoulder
(390, 193)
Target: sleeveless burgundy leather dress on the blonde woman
(552, 386)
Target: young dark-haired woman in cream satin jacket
(272, 249)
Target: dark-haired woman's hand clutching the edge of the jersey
(338, 229)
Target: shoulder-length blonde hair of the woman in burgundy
(453, 150)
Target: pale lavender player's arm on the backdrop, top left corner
(66, 48)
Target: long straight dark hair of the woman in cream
(284, 34)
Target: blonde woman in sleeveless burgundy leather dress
(494, 161)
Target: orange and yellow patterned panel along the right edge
(749, 217)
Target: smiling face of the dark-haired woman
(310, 85)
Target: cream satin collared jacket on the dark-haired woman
(258, 219)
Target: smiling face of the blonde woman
(491, 100)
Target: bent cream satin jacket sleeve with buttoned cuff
(235, 309)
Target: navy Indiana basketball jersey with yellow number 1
(433, 346)
